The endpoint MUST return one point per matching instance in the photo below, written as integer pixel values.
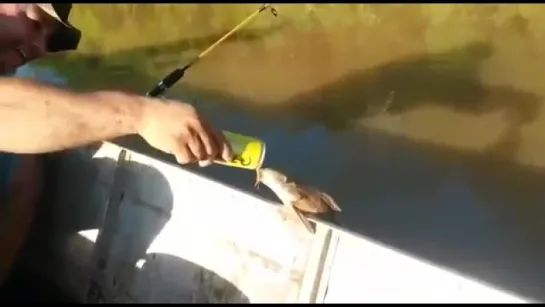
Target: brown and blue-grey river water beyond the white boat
(425, 122)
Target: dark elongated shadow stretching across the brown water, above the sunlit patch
(450, 79)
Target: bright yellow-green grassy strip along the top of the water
(115, 27)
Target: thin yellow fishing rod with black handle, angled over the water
(177, 74)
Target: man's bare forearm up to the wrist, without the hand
(39, 118)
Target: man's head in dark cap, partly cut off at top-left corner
(29, 31)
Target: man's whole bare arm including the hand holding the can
(37, 118)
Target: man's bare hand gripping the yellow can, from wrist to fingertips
(178, 129)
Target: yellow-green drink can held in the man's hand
(248, 151)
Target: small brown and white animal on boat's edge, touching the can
(297, 197)
